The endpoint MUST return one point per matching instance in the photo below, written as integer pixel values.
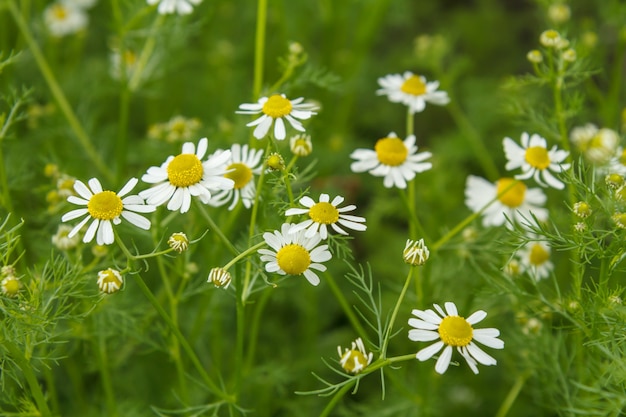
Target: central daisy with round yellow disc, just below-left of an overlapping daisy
(294, 254)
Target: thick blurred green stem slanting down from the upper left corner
(57, 92)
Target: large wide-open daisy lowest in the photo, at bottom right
(451, 330)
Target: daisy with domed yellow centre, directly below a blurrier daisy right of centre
(392, 158)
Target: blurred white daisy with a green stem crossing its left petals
(517, 203)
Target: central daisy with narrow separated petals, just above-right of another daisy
(323, 214)
